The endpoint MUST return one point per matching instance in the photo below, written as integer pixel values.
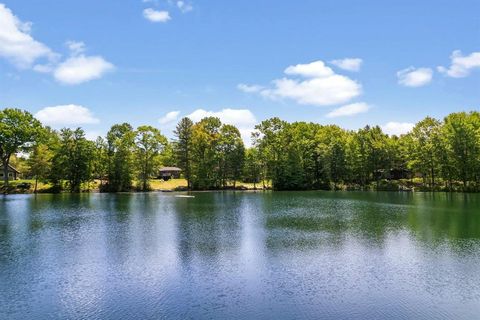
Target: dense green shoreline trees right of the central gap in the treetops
(445, 155)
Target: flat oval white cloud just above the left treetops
(70, 114)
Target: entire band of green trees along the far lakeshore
(438, 154)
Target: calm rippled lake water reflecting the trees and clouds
(225, 255)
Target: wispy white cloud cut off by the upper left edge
(16, 43)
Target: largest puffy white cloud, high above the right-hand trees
(319, 86)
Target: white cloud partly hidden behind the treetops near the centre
(243, 119)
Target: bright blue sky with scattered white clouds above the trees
(95, 63)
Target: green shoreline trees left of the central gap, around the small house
(125, 159)
